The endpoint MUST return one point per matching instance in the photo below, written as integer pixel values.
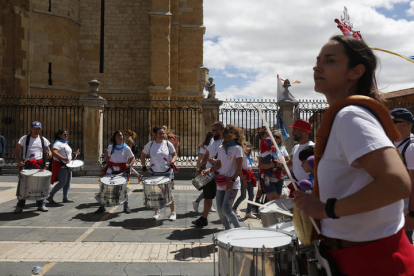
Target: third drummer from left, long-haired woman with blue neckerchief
(120, 159)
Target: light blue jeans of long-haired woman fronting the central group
(224, 201)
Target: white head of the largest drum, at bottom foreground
(253, 238)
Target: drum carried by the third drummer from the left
(113, 190)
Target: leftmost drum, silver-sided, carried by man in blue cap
(34, 184)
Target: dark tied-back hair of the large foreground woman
(359, 53)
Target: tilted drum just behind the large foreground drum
(270, 217)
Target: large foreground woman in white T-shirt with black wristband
(362, 180)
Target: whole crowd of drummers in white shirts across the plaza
(353, 180)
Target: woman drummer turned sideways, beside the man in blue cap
(62, 154)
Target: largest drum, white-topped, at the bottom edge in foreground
(256, 251)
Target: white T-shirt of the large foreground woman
(355, 132)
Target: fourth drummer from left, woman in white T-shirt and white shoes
(161, 152)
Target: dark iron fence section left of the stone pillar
(54, 113)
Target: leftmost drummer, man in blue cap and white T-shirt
(35, 150)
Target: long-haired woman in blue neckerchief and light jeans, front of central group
(229, 166)
